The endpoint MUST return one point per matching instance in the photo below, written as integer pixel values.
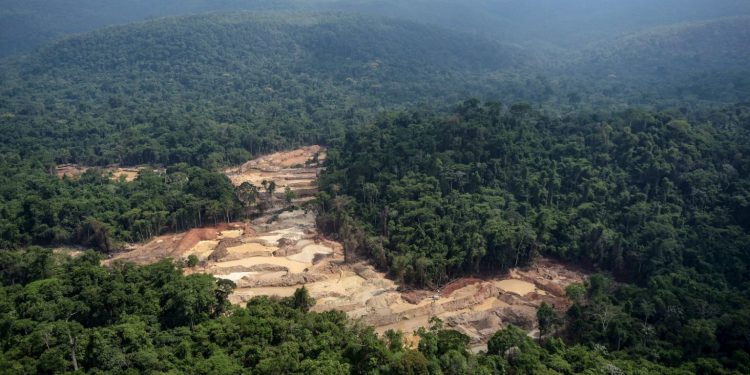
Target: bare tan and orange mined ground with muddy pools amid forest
(275, 256)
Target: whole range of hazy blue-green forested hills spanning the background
(284, 79)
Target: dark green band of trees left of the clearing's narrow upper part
(39, 208)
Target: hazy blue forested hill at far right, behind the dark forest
(704, 61)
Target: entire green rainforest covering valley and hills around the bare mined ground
(625, 155)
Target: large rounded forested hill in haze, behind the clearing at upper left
(208, 89)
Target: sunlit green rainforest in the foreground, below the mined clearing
(61, 314)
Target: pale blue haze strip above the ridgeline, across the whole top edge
(550, 25)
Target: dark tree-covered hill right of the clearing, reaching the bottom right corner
(654, 199)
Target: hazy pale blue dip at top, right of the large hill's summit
(564, 24)
